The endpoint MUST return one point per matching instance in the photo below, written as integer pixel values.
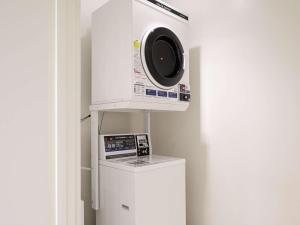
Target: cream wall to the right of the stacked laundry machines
(241, 135)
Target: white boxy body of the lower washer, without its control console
(146, 195)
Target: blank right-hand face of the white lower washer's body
(160, 196)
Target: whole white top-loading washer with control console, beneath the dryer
(136, 187)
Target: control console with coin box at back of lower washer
(124, 145)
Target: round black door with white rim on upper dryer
(163, 57)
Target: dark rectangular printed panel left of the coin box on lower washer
(119, 143)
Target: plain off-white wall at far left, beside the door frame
(24, 185)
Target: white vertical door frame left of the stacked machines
(64, 119)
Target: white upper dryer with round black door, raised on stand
(140, 57)
